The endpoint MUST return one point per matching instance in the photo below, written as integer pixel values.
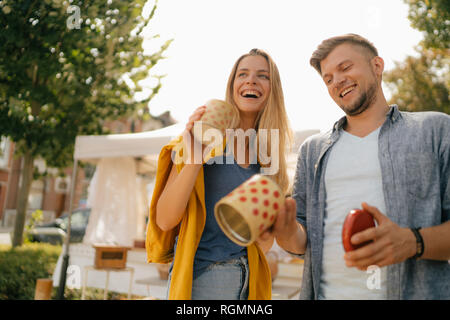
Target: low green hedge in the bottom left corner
(21, 267)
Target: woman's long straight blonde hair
(272, 116)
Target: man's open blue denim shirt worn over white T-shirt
(414, 155)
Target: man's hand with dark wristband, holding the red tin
(391, 243)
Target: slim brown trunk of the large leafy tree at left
(22, 201)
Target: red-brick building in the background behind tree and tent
(50, 194)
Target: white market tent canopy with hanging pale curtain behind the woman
(117, 194)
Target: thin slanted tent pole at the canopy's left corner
(65, 261)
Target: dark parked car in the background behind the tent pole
(55, 232)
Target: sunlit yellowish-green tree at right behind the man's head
(422, 83)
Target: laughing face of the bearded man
(349, 75)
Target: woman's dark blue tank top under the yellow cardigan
(219, 179)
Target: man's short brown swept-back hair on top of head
(328, 45)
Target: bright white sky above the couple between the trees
(210, 35)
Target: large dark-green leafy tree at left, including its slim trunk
(65, 68)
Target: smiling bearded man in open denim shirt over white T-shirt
(395, 165)
